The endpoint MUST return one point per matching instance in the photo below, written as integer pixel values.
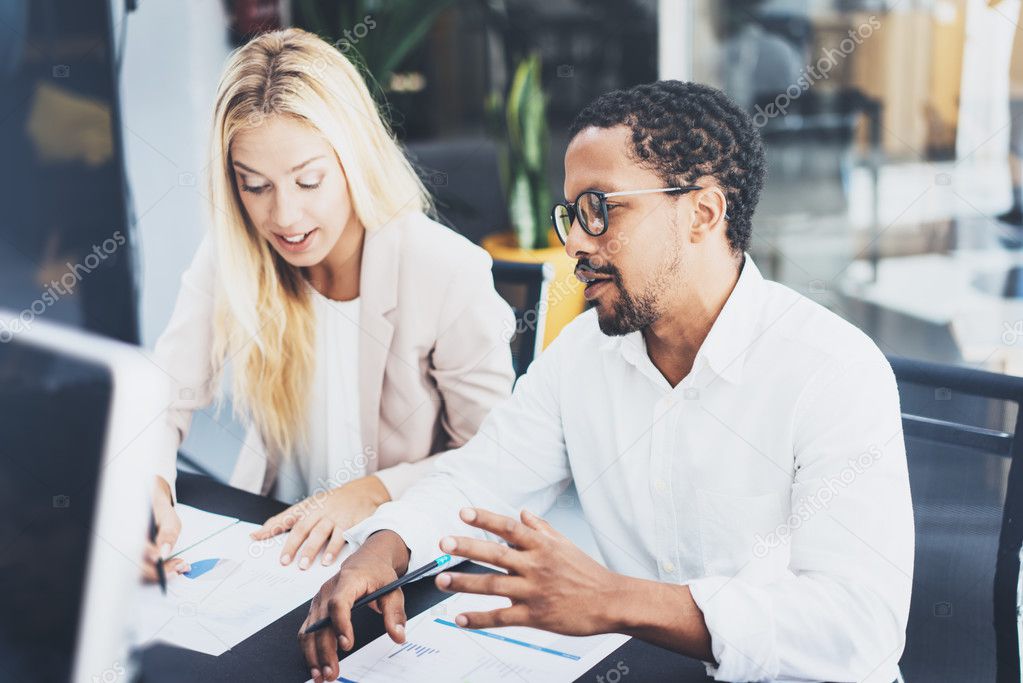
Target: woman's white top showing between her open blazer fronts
(334, 454)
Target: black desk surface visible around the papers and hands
(273, 655)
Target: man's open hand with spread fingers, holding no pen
(552, 583)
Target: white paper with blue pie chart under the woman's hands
(236, 587)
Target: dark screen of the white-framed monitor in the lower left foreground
(54, 421)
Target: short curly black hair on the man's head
(683, 131)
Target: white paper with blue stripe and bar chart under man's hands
(436, 650)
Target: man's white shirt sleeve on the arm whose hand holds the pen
(517, 461)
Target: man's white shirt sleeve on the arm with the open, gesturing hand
(840, 612)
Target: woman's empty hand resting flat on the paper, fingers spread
(322, 520)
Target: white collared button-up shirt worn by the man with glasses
(773, 480)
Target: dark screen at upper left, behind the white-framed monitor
(65, 235)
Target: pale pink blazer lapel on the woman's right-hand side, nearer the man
(379, 293)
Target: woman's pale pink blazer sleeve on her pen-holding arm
(185, 353)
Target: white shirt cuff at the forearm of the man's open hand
(741, 621)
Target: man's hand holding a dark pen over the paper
(381, 560)
